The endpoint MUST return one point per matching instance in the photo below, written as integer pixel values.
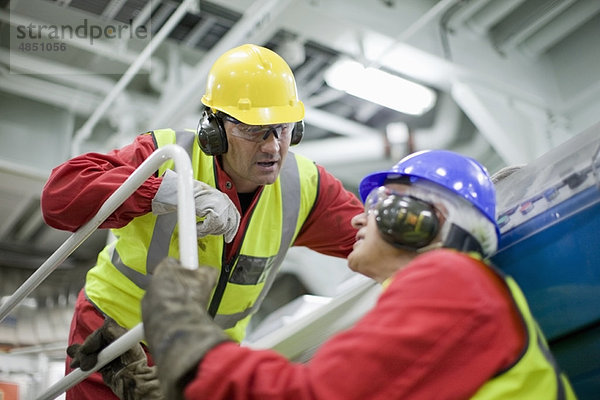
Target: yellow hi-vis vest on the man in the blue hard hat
(535, 375)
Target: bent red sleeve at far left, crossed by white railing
(77, 188)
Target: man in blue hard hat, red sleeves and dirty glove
(448, 325)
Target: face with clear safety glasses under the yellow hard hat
(255, 154)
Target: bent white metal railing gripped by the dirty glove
(188, 252)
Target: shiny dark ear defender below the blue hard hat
(406, 222)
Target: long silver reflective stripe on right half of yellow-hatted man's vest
(290, 189)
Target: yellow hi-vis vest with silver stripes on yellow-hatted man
(124, 267)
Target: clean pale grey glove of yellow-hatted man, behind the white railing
(220, 217)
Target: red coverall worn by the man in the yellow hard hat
(77, 189)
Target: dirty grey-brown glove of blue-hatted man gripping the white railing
(178, 329)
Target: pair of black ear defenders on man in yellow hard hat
(212, 138)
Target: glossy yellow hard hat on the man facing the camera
(255, 86)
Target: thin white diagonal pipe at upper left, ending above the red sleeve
(86, 130)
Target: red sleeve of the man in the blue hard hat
(442, 326)
